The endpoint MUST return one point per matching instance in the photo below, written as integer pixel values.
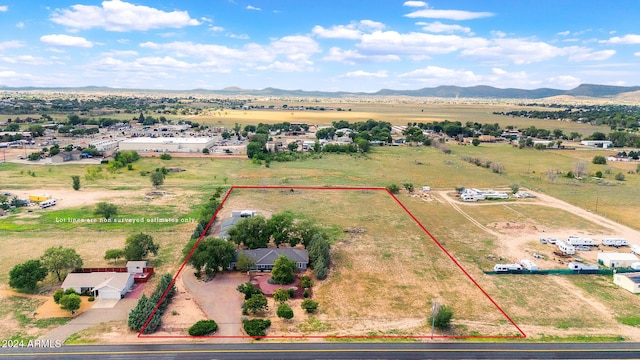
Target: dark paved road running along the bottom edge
(339, 351)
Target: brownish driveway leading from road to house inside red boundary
(218, 299)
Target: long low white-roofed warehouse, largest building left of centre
(167, 144)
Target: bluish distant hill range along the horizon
(480, 91)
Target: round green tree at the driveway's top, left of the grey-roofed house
(212, 255)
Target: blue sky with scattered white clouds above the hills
(329, 45)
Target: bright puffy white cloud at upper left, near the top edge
(117, 15)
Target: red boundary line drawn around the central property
(206, 229)
